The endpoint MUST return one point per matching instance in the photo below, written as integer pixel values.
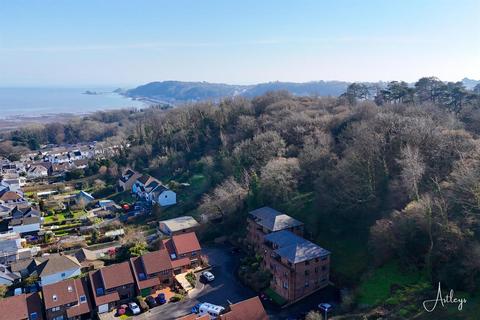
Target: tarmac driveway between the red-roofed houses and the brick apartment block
(223, 290)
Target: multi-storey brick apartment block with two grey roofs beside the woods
(298, 266)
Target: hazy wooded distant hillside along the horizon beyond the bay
(178, 91)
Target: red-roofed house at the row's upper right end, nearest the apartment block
(182, 246)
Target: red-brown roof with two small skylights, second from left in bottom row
(66, 292)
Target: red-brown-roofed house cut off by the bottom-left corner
(22, 307)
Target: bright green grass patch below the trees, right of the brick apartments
(375, 288)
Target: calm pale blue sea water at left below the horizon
(33, 102)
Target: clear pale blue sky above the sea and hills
(114, 42)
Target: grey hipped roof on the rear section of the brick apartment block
(273, 220)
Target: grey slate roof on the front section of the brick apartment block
(294, 248)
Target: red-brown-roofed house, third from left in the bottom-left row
(112, 286)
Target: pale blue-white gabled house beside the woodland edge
(151, 190)
